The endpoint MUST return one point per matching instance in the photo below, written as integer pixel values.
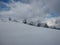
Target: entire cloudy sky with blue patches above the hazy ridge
(45, 9)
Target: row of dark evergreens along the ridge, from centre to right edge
(39, 24)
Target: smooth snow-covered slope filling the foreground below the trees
(12, 33)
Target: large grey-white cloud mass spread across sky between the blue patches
(35, 9)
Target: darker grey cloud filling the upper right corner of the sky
(54, 5)
